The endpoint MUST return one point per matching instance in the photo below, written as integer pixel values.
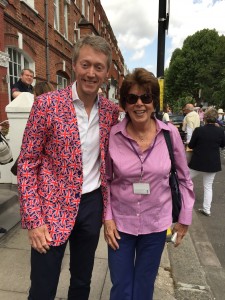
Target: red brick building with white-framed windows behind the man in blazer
(40, 35)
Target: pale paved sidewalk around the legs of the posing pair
(15, 271)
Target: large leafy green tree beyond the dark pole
(199, 65)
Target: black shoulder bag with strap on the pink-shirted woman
(173, 180)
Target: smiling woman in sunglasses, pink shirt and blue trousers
(139, 208)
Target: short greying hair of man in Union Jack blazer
(98, 43)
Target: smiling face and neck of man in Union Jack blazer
(91, 71)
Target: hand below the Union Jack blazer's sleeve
(40, 238)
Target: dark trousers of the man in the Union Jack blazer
(83, 241)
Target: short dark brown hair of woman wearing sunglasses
(144, 79)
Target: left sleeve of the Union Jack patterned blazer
(28, 162)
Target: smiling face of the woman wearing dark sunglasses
(139, 112)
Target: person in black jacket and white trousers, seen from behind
(206, 142)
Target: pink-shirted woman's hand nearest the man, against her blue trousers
(111, 234)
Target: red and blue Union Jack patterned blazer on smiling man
(50, 173)
